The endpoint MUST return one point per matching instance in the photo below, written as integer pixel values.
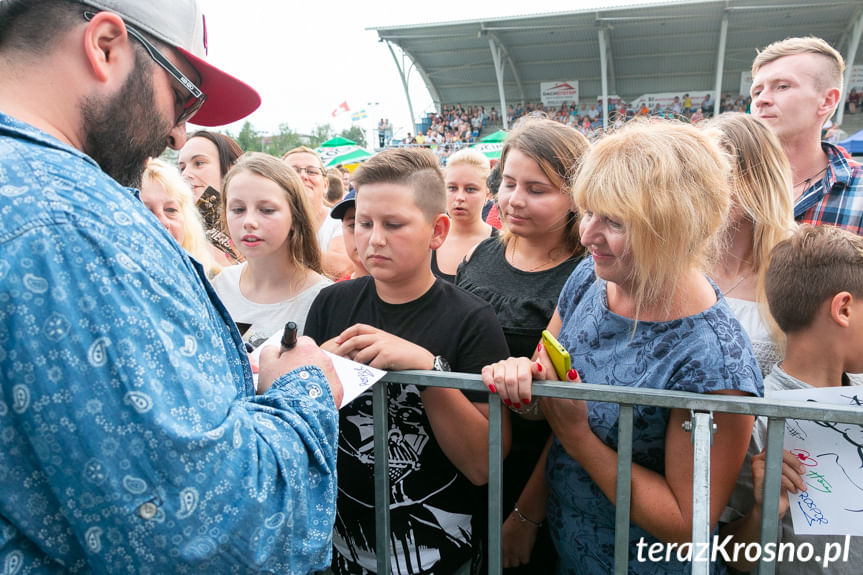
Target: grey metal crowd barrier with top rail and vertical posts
(702, 407)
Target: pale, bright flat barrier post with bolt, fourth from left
(702, 427)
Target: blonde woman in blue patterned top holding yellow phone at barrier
(637, 288)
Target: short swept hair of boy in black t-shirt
(416, 168)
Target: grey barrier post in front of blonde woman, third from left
(623, 490)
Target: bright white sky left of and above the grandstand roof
(305, 58)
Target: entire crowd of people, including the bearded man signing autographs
(717, 257)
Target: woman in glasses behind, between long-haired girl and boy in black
(309, 166)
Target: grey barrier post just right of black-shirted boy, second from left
(495, 483)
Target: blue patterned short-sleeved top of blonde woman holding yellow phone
(701, 353)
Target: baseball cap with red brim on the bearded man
(181, 24)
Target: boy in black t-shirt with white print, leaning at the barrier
(402, 317)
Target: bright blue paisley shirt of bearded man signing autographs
(131, 440)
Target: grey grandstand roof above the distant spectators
(657, 47)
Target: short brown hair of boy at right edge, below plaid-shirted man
(810, 267)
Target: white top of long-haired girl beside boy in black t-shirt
(266, 318)
